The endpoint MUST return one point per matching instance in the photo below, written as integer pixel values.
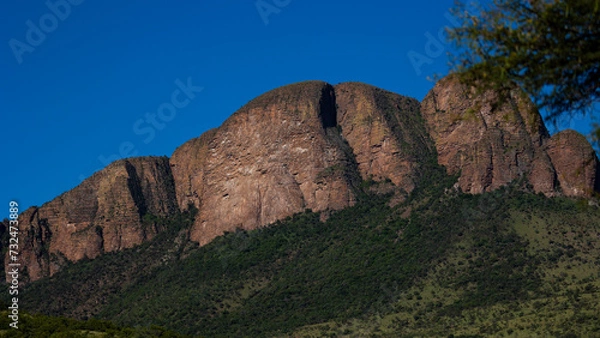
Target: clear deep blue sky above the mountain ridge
(87, 82)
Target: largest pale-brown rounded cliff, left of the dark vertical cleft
(276, 156)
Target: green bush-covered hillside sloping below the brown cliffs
(440, 263)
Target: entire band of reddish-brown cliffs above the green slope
(308, 146)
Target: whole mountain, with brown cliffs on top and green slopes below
(319, 204)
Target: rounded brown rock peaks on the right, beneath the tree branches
(492, 141)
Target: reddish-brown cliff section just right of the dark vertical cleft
(385, 131)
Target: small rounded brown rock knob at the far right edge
(575, 162)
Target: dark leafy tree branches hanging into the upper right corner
(549, 48)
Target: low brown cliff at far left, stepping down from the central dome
(103, 214)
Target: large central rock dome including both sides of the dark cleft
(283, 153)
